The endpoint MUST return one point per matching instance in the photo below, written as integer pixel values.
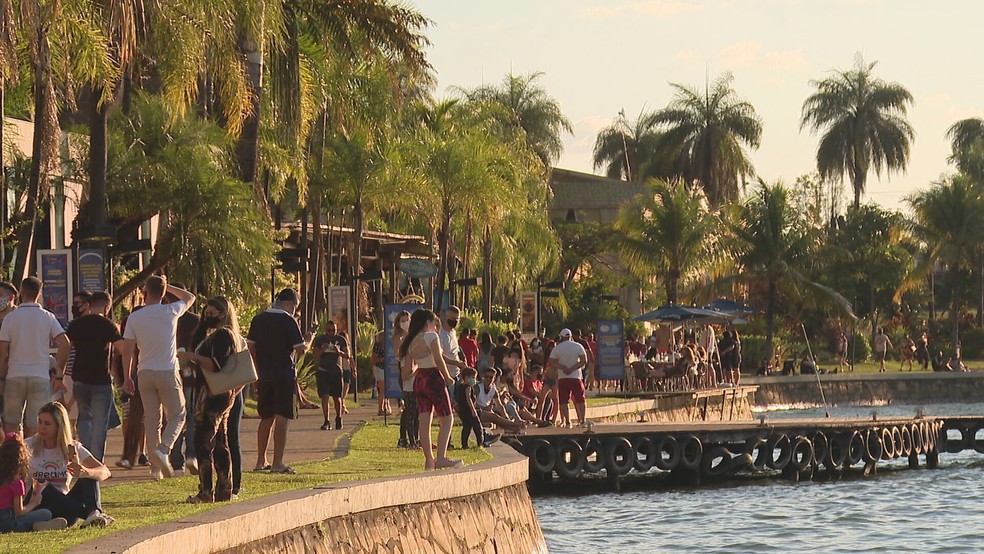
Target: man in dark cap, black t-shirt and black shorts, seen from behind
(276, 343)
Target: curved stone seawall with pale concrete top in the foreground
(482, 508)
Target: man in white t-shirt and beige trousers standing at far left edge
(25, 336)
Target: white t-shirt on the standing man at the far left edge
(29, 329)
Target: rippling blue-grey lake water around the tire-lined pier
(898, 510)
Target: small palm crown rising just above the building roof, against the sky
(628, 150)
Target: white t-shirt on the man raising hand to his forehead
(155, 329)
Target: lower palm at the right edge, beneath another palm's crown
(949, 220)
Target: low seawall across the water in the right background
(851, 389)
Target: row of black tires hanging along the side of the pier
(834, 450)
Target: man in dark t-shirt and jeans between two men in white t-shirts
(93, 336)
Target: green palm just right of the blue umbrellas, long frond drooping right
(774, 247)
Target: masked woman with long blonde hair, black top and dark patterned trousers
(217, 338)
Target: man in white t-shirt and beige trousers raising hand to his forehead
(153, 329)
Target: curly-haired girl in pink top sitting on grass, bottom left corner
(15, 463)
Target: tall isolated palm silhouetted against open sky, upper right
(863, 120)
